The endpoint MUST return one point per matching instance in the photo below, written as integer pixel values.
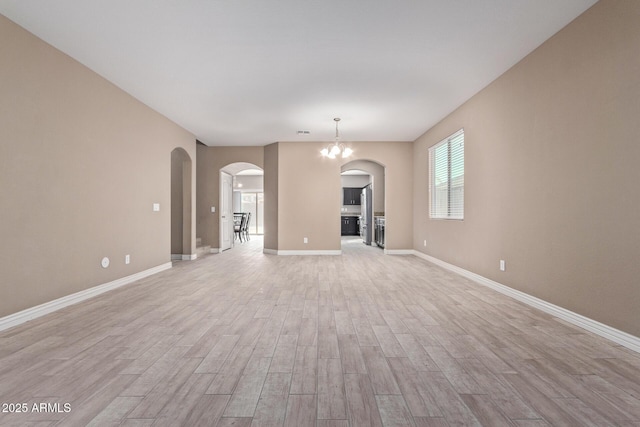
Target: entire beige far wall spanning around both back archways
(303, 192)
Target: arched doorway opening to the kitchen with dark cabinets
(365, 179)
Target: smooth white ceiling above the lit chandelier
(253, 72)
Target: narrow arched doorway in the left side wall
(181, 242)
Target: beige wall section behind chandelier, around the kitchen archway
(310, 195)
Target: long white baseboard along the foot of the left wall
(51, 306)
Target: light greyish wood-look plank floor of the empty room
(241, 338)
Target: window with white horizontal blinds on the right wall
(446, 178)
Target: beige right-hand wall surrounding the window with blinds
(551, 165)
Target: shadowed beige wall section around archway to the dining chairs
(209, 162)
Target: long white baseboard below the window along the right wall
(624, 339)
